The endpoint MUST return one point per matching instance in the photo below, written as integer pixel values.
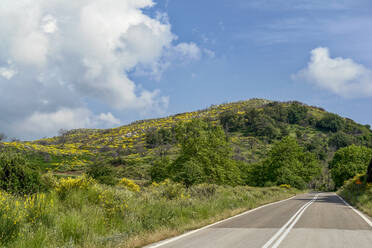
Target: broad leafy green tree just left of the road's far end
(288, 163)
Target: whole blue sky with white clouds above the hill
(106, 63)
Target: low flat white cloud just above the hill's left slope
(65, 118)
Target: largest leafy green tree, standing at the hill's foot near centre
(205, 155)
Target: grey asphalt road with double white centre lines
(305, 221)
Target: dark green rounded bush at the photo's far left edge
(16, 176)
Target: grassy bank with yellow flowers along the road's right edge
(358, 193)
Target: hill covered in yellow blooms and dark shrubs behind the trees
(252, 127)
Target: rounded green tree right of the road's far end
(348, 162)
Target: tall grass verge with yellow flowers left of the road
(79, 212)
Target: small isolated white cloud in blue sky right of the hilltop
(341, 76)
